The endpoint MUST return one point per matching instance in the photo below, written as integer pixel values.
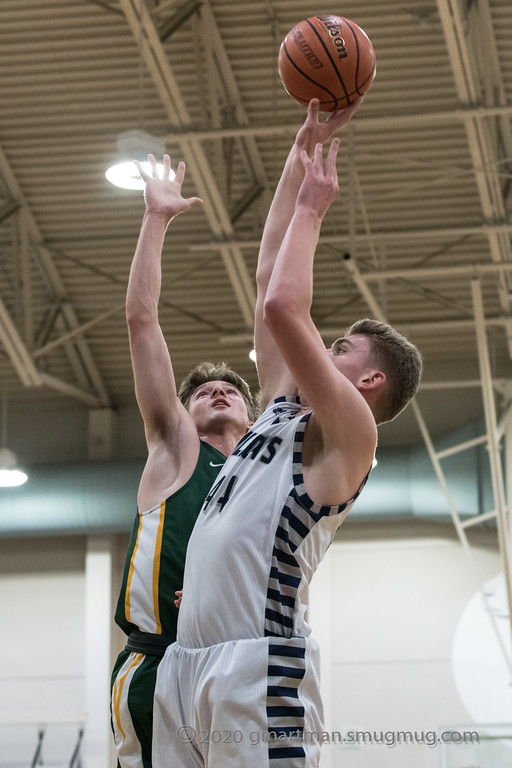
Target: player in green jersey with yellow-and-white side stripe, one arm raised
(189, 434)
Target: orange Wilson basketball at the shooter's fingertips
(329, 58)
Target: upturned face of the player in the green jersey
(216, 403)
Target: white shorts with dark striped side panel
(241, 704)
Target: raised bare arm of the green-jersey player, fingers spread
(155, 386)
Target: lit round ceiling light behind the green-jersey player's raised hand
(135, 145)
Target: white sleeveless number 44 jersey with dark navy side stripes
(258, 539)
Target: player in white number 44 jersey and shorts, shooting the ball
(240, 686)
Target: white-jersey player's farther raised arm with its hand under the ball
(272, 371)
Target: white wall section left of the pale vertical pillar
(42, 645)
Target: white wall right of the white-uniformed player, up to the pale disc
(385, 604)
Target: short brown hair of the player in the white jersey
(398, 358)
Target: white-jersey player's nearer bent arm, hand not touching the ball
(346, 430)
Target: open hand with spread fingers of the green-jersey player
(163, 195)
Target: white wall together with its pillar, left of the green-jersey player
(56, 617)
